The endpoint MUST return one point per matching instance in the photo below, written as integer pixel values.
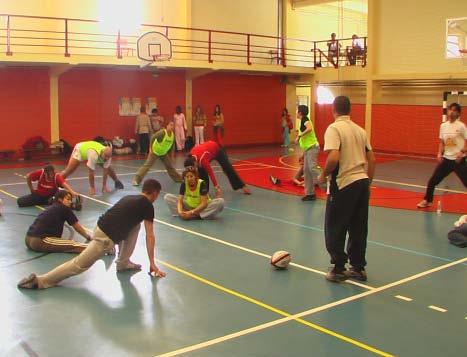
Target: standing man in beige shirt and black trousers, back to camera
(349, 152)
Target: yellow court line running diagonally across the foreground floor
(273, 309)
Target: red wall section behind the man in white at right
(408, 129)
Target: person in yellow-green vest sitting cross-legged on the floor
(193, 200)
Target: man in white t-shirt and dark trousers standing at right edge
(451, 153)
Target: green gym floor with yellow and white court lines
(221, 297)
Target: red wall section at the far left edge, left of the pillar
(25, 109)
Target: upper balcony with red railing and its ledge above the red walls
(52, 40)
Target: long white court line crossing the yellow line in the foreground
(308, 312)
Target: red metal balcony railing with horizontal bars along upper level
(73, 37)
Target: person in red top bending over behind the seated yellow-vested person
(202, 155)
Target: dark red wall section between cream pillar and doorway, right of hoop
(252, 106)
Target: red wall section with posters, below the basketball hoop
(89, 100)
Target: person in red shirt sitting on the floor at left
(48, 183)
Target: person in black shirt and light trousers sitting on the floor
(44, 235)
